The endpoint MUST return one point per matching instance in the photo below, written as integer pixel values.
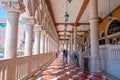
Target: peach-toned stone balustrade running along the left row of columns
(22, 67)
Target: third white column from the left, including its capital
(37, 30)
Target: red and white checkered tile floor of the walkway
(56, 71)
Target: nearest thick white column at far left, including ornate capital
(13, 9)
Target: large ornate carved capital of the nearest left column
(16, 6)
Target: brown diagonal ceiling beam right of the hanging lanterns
(81, 11)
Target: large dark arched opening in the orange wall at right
(113, 32)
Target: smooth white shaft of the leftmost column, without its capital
(11, 35)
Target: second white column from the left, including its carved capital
(29, 35)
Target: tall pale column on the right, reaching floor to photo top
(95, 58)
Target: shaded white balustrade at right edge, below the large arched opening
(110, 59)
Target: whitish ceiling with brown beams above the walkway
(78, 14)
